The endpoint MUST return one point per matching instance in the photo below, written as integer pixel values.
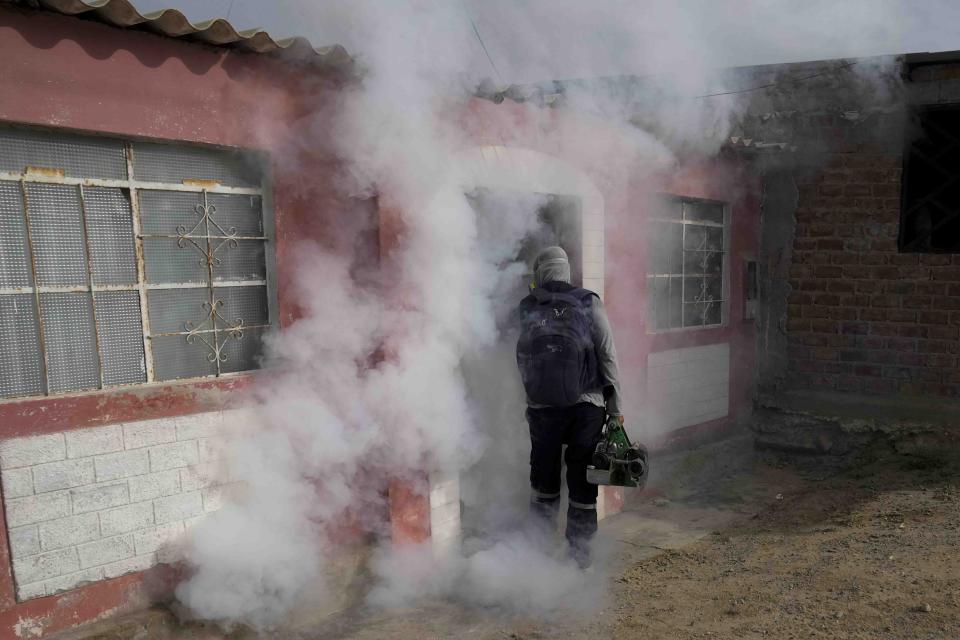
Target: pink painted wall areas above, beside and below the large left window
(57, 71)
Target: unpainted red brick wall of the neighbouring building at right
(863, 317)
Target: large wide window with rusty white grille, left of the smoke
(126, 262)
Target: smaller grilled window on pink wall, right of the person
(686, 274)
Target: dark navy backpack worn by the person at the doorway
(555, 352)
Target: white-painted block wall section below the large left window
(96, 503)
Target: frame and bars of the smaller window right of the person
(724, 269)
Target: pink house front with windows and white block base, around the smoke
(151, 193)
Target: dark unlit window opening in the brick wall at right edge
(930, 211)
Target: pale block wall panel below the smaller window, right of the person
(689, 386)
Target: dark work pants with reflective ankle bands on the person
(579, 427)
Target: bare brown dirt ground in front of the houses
(741, 545)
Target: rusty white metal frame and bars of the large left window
(132, 187)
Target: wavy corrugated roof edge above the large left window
(170, 22)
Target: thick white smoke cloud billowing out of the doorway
(408, 370)
